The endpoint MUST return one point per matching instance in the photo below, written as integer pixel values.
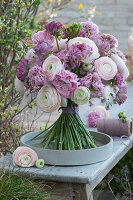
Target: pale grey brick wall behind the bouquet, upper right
(116, 17)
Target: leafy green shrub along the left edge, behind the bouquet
(17, 22)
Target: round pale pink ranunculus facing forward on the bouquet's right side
(106, 68)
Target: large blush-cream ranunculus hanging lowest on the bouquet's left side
(48, 98)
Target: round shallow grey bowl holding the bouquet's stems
(102, 152)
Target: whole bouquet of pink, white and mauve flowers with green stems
(68, 67)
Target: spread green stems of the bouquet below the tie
(68, 133)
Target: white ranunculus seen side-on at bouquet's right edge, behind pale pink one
(120, 65)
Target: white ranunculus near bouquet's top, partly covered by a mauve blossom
(89, 42)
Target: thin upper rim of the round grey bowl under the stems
(108, 144)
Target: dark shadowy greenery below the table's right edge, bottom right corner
(120, 179)
